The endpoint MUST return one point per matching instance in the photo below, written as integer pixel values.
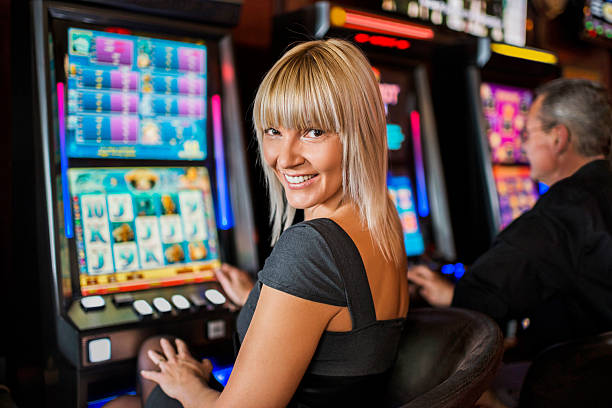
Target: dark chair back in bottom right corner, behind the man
(576, 373)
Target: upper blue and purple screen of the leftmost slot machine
(135, 97)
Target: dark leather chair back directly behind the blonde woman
(447, 358)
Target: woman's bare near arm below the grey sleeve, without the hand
(277, 349)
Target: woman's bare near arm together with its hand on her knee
(277, 349)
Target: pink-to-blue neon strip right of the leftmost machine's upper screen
(225, 219)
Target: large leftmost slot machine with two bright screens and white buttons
(143, 181)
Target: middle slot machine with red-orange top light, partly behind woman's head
(399, 52)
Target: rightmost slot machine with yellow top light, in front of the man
(488, 90)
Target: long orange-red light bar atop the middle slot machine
(364, 21)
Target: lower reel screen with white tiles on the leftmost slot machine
(138, 228)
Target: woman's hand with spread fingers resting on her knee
(181, 376)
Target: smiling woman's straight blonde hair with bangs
(329, 85)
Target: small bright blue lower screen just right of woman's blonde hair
(400, 188)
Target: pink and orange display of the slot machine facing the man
(505, 109)
